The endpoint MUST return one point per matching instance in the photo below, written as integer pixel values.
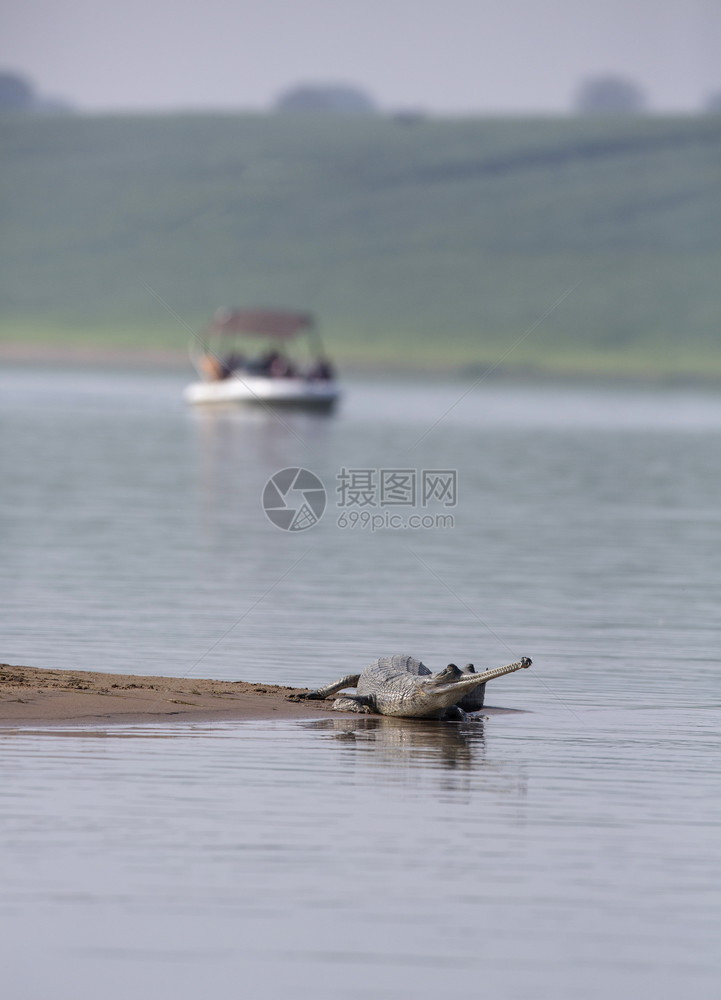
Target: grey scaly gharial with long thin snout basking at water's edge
(403, 686)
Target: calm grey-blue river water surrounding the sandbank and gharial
(567, 848)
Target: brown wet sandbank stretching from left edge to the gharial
(35, 696)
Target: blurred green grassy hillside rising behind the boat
(566, 245)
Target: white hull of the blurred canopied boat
(256, 390)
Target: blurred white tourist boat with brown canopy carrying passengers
(234, 368)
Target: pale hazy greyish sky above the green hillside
(448, 56)
